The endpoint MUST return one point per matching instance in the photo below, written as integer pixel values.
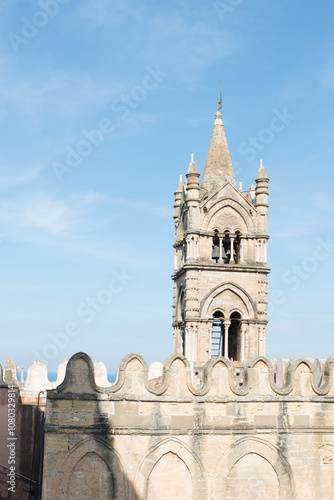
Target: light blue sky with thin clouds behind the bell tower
(133, 87)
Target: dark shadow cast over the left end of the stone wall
(92, 469)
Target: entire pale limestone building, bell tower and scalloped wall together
(216, 421)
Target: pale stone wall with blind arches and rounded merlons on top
(191, 439)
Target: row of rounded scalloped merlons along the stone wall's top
(176, 377)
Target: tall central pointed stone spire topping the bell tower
(218, 167)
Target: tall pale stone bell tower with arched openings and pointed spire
(220, 276)
